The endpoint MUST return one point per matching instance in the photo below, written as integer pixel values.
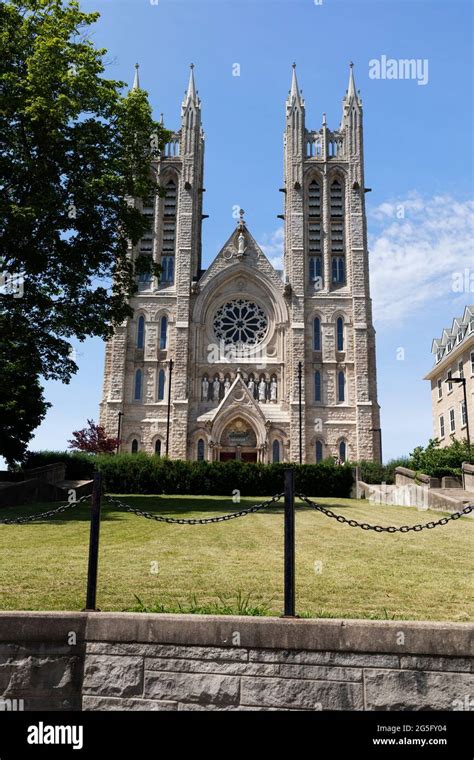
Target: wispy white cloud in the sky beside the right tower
(414, 258)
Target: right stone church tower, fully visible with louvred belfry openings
(327, 267)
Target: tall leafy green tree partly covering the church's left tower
(74, 152)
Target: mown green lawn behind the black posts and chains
(341, 571)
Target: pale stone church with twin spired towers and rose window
(211, 365)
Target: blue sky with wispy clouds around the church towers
(418, 146)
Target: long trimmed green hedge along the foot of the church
(148, 474)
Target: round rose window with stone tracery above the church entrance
(240, 322)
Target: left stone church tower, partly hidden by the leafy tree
(153, 346)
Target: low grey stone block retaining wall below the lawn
(115, 661)
